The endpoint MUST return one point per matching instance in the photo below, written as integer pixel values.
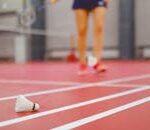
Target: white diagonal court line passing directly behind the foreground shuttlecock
(82, 86)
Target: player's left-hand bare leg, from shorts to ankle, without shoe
(82, 25)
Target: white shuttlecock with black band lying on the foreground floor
(25, 105)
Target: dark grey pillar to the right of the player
(127, 30)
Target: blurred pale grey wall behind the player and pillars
(60, 26)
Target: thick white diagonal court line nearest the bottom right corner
(99, 116)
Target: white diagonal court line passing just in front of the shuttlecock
(73, 106)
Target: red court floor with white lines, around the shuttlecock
(118, 99)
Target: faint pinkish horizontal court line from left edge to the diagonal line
(37, 82)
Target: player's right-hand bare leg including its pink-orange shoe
(99, 15)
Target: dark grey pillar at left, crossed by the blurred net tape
(38, 43)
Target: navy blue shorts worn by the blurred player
(88, 4)
